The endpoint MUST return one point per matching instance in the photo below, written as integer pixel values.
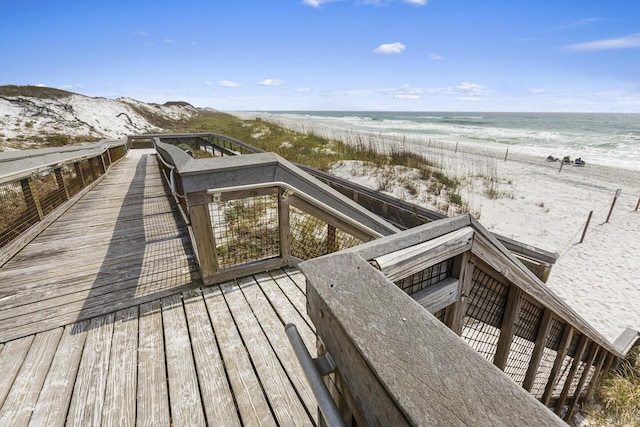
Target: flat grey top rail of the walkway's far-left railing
(21, 163)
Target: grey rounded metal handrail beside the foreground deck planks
(325, 402)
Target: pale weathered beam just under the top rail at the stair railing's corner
(405, 262)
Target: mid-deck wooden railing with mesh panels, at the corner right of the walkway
(259, 212)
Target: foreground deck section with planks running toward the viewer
(207, 356)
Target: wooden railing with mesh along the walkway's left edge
(37, 186)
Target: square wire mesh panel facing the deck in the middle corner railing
(245, 230)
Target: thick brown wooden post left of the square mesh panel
(205, 241)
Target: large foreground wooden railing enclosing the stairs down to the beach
(385, 331)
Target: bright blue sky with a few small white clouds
(409, 55)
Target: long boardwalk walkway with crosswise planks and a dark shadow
(122, 244)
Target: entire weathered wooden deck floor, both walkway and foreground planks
(103, 321)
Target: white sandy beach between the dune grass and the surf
(540, 205)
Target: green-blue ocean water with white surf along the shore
(602, 138)
